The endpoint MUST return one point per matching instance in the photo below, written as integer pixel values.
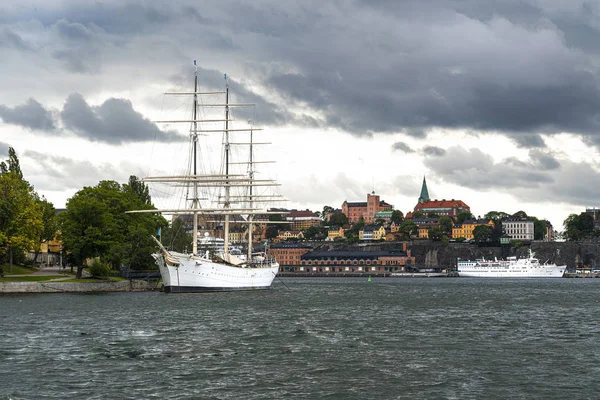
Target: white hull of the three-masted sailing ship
(197, 274)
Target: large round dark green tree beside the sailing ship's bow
(96, 224)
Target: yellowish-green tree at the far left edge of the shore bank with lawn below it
(20, 215)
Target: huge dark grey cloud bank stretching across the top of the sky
(520, 67)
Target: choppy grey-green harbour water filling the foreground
(321, 339)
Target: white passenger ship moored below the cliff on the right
(529, 267)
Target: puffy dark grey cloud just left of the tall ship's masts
(114, 122)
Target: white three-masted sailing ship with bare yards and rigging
(230, 193)
